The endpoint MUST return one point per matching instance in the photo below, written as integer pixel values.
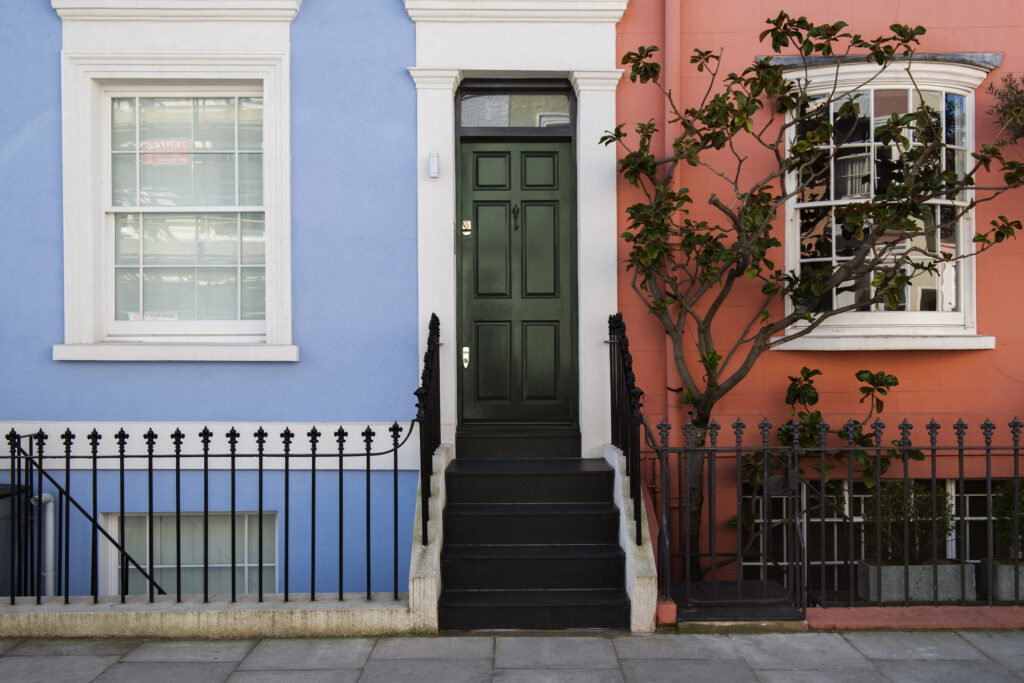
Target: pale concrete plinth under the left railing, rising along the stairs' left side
(413, 613)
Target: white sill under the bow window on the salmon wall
(875, 339)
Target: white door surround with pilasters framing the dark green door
(571, 39)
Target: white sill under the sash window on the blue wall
(159, 352)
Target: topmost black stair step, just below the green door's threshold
(530, 481)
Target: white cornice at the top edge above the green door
(579, 12)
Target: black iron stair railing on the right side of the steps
(626, 416)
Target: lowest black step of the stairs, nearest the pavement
(468, 611)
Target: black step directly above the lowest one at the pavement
(537, 567)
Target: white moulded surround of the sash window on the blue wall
(170, 48)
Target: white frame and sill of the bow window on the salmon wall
(888, 330)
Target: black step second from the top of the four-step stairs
(510, 524)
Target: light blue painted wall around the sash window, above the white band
(354, 239)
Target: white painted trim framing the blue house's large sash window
(100, 55)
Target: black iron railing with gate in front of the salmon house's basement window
(848, 518)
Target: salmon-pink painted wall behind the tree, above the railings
(944, 385)
